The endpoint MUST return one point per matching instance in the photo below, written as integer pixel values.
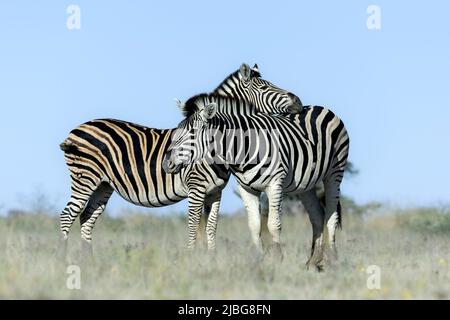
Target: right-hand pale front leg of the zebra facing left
(275, 196)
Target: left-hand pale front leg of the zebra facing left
(251, 203)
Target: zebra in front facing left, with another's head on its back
(274, 154)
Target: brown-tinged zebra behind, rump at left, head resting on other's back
(108, 155)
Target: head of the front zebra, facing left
(189, 140)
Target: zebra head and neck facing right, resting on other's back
(246, 84)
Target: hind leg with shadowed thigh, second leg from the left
(94, 209)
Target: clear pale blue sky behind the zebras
(130, 59)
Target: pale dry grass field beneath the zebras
(143, 257)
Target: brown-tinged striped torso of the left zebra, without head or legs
(129, 157)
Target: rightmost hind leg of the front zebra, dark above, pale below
(332, 211)
